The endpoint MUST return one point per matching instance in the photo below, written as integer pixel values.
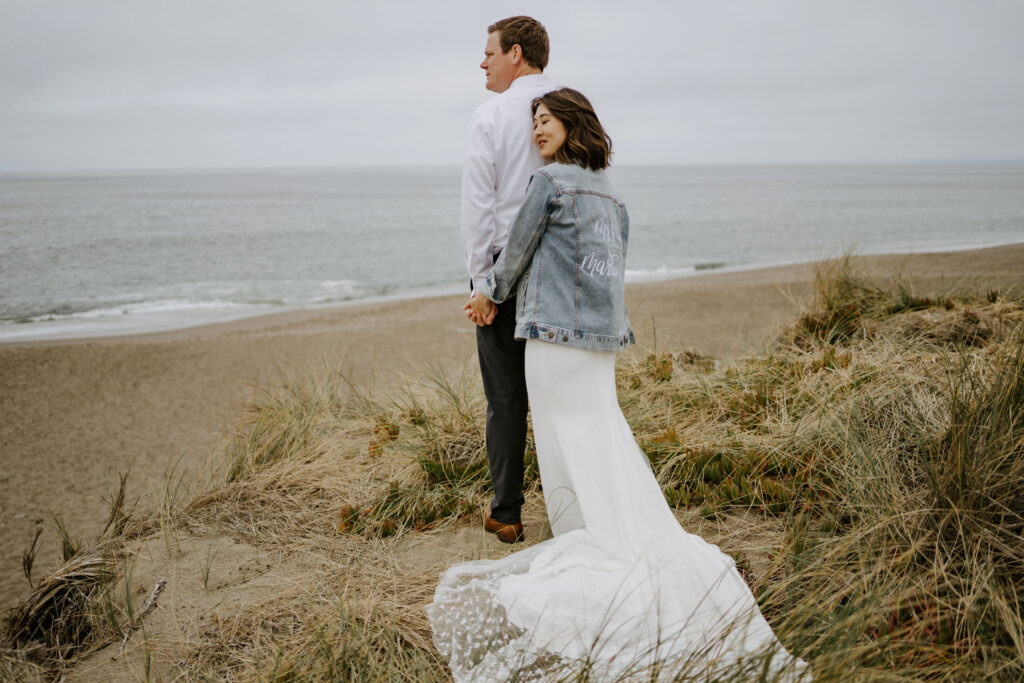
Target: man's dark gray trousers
(501, 359)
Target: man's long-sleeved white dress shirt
(500, 158)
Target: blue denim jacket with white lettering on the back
(567, 250)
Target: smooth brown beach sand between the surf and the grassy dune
(75, 414)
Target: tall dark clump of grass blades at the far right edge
(975, 486)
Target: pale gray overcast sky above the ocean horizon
(203, 83)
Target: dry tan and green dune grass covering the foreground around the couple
(867, 472)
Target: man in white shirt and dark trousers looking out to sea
(500, 158)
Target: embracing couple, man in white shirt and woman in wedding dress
(621, 589)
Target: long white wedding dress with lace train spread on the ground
(621, 588)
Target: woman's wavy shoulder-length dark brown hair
(586, 143)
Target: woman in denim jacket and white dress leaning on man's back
(621, 587)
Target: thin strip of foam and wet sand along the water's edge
(287, 315)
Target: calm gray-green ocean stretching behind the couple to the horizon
(98, 254)
